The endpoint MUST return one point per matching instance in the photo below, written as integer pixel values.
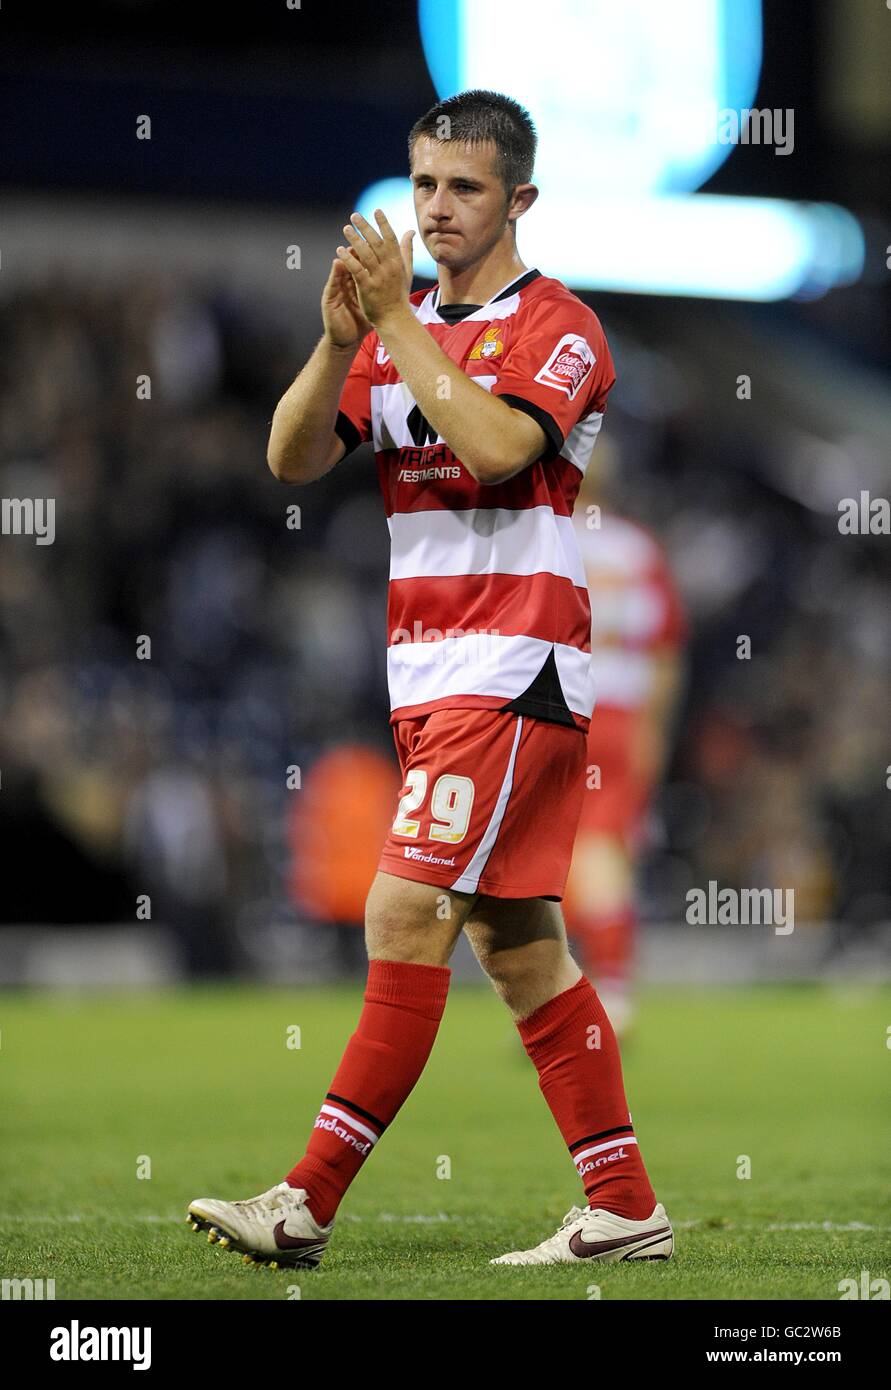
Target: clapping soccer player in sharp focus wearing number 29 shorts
(483, 397)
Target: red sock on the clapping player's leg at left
(379, 1071)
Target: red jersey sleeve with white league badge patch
(558, 369)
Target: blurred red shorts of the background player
(618, 806)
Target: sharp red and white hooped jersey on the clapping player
(489, 604)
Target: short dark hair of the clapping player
(476, 117)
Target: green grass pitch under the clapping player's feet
(202, 1086)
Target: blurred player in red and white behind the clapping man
(637, 643)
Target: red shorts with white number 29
(490, 803)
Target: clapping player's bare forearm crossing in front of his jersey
(479, 427)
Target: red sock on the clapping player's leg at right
(583, 1086)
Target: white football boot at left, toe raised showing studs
(275, 1229)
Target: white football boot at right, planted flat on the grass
(593, 1234)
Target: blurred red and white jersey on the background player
(636, 607)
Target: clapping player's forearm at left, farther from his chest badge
(304, 420)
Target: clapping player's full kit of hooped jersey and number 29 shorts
(489, 612)
